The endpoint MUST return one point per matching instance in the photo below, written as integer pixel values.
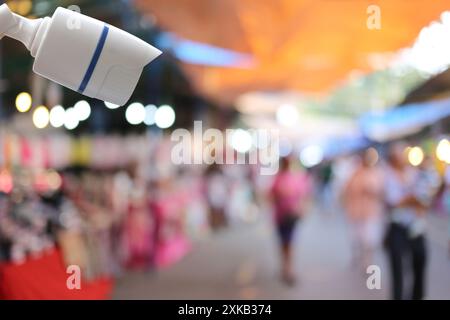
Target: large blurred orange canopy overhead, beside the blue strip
(306, 45)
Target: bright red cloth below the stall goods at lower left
(45, 278)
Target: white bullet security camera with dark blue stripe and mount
(81, 53)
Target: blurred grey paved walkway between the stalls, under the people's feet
(241, 263)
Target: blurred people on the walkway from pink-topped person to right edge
(385, 201)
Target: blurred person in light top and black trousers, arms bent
(405, 238)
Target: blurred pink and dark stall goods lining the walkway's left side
(143, 215)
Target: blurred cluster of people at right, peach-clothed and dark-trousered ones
(386, 200)
